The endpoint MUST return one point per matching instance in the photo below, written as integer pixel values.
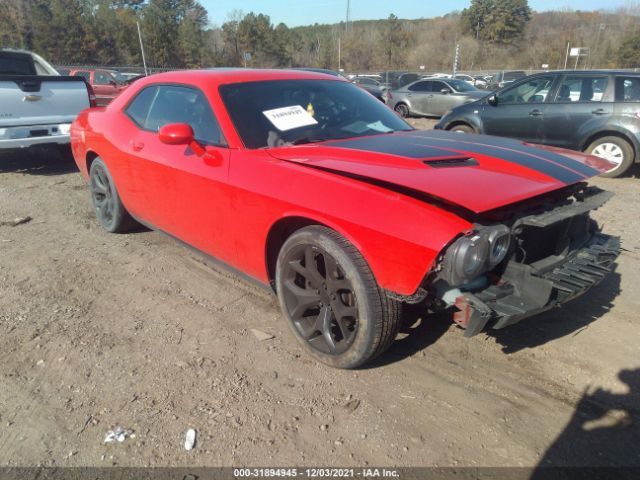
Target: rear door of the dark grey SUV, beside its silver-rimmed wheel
(582, 103)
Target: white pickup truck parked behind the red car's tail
(37, 105)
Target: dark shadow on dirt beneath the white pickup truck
(50, 161)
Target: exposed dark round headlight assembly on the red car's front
(474, 254)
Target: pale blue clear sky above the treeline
(306, 12)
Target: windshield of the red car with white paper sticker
(291, 112)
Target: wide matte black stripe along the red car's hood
(424, 145)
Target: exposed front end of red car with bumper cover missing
(523, 261)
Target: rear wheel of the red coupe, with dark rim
(109, 209)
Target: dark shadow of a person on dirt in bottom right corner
(604, 432)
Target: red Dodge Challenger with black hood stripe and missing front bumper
(308, 184)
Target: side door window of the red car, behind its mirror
(166, 104)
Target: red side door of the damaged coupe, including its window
(174, 189)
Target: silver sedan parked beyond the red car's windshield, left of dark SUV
(433, 97)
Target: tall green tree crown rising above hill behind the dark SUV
(496, 21)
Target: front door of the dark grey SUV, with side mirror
(519, 109)
